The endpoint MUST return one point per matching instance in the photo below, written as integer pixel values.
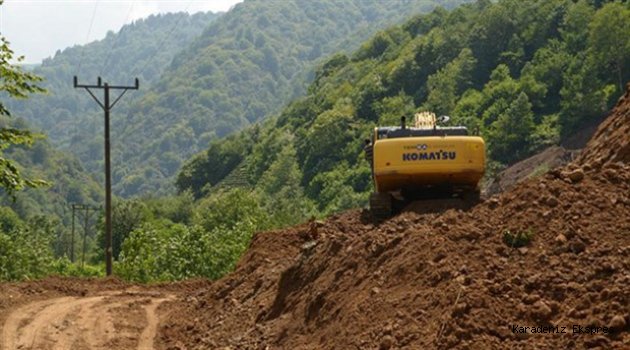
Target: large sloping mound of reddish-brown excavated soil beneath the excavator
(451, 279)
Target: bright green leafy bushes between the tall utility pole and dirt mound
(220, 230)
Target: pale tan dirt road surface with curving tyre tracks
(123, 319)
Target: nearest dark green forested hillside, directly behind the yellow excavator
(523, 73)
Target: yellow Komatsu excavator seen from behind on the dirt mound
(423, 162)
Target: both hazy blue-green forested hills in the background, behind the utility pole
(202, 77)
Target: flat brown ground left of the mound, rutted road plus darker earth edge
(66, 313)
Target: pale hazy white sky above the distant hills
(38, 28)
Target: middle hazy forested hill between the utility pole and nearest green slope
(245, 65)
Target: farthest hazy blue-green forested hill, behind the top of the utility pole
(142, 49)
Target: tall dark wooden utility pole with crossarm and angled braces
(106, 106)
